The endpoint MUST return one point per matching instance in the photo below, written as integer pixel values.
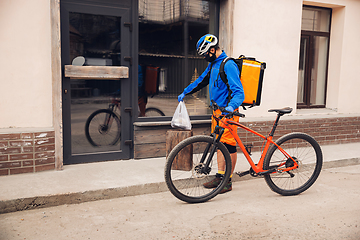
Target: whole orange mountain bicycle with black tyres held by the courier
(289, 165)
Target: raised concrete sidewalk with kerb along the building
(113, 179)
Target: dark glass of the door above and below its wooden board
(97, 39)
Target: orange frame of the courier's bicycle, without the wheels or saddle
(258, 168)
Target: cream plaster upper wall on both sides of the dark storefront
(267, 30)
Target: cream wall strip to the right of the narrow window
(343, 81)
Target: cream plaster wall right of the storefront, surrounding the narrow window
(271, 30)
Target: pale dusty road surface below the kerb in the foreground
(328, 210)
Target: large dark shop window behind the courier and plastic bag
(168, 32)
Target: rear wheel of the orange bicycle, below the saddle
(306, 152)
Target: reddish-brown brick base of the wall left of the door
(27, 152)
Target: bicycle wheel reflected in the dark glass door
(102, 128)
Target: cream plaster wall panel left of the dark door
(25, 64)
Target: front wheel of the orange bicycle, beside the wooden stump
(190, 164)
